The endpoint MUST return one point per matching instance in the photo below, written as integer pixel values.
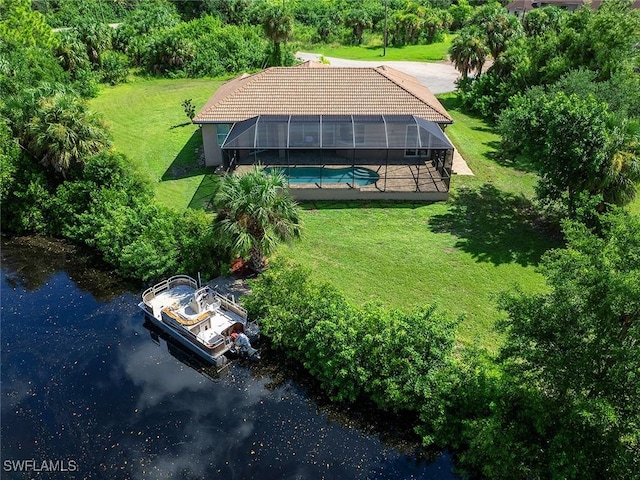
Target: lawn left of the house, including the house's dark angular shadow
(149, 125)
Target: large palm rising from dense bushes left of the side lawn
(63, 133)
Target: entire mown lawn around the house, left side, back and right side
(457, 254)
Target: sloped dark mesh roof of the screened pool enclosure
(374, 132)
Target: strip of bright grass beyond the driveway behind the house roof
(435, 52)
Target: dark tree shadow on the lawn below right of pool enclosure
(497, 227)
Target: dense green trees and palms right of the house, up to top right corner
(565, 92)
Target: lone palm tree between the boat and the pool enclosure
(256, 213)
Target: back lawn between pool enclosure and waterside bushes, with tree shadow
(408, 255)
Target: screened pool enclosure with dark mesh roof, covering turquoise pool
(404, 153)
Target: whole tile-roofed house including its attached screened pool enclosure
(336, 132)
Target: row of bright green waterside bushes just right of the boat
(396, 359)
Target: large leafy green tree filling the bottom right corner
(577, 348)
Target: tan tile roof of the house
(316, 89)
